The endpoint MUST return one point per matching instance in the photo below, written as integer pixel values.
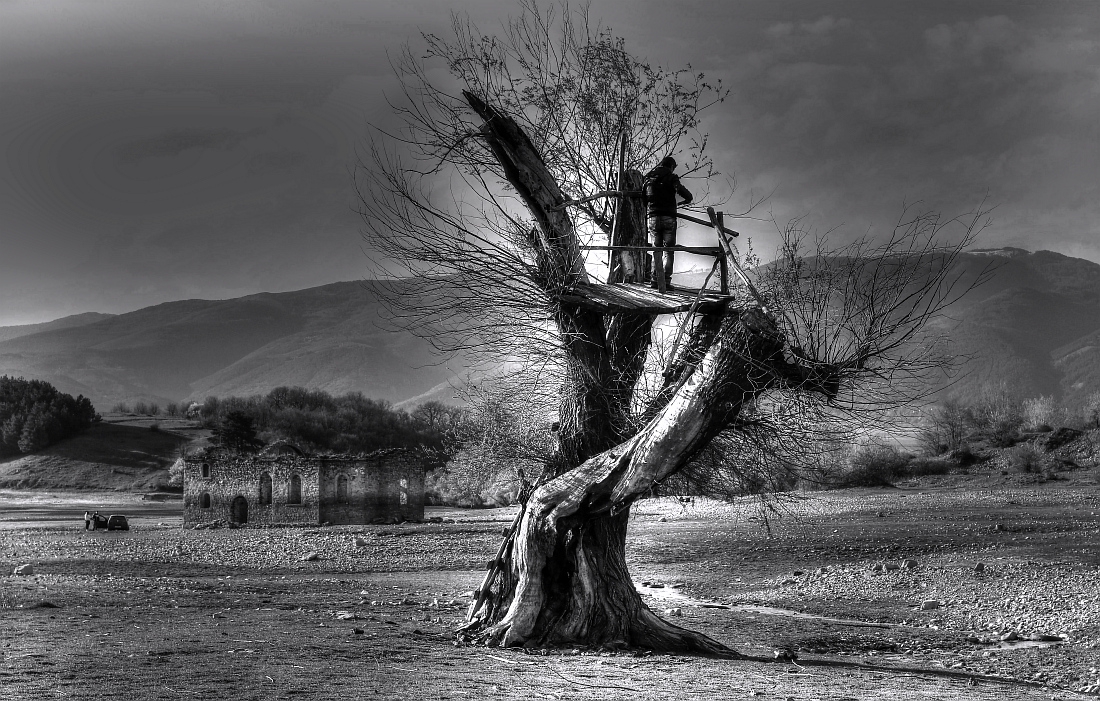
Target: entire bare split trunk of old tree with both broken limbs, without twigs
(562, 575)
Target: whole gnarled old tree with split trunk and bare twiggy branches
(486, 201)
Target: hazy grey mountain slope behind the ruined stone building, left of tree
(326, 338)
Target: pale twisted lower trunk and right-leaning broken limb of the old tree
(564, 578)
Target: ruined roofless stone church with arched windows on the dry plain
(285, 486)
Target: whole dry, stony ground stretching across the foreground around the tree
(163, 614)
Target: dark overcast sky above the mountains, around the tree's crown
(157, 151)
